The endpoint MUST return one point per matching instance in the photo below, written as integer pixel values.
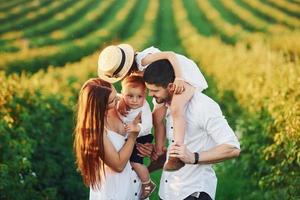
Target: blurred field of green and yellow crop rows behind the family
(248, 50)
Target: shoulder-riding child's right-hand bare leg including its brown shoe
(177, 111)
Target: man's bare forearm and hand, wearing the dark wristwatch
(217, 154)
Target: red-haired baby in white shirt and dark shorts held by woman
(133, 97)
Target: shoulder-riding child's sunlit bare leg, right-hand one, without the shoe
(177, 111)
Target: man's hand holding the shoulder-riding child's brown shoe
(183, 153)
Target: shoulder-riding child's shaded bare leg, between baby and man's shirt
(158, 115)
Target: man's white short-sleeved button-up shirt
(206, 128)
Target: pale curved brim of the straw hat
(129, 57)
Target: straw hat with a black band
(114, 62)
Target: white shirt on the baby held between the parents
(146, 118)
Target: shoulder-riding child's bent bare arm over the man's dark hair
(169, 55)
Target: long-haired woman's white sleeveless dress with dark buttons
(118, 186)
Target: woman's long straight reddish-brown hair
(88, 141)
